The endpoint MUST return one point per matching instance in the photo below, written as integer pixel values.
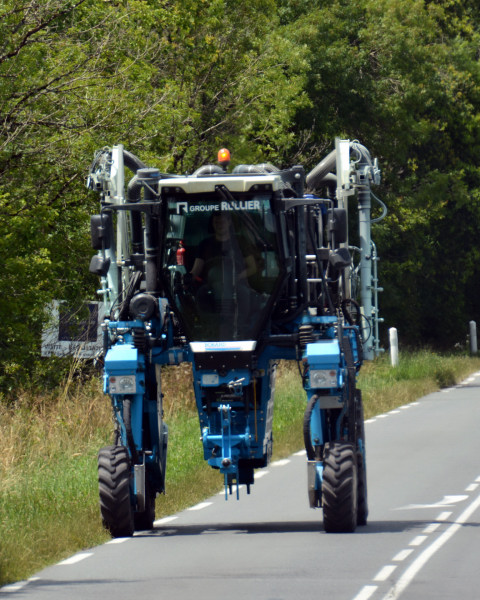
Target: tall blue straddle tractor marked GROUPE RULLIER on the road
(233, 272)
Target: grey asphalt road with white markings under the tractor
(421, 541)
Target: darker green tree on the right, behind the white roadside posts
(403, 77)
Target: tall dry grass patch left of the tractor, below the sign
(48, 499)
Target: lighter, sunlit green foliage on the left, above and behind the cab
(171, 81)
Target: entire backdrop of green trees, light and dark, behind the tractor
(271, 79)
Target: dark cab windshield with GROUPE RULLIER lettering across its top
(220, 264)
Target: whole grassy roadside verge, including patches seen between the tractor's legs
(49, 444)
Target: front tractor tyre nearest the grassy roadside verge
(114, 477)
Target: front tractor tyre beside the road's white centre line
(339, 488)
